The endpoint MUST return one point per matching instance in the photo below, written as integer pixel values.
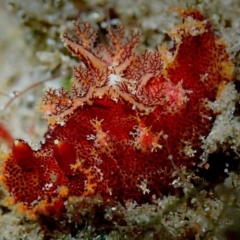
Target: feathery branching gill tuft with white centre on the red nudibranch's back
(115, 70)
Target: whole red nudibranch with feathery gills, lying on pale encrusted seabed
(126, 114)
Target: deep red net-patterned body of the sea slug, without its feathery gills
(113, 164)
